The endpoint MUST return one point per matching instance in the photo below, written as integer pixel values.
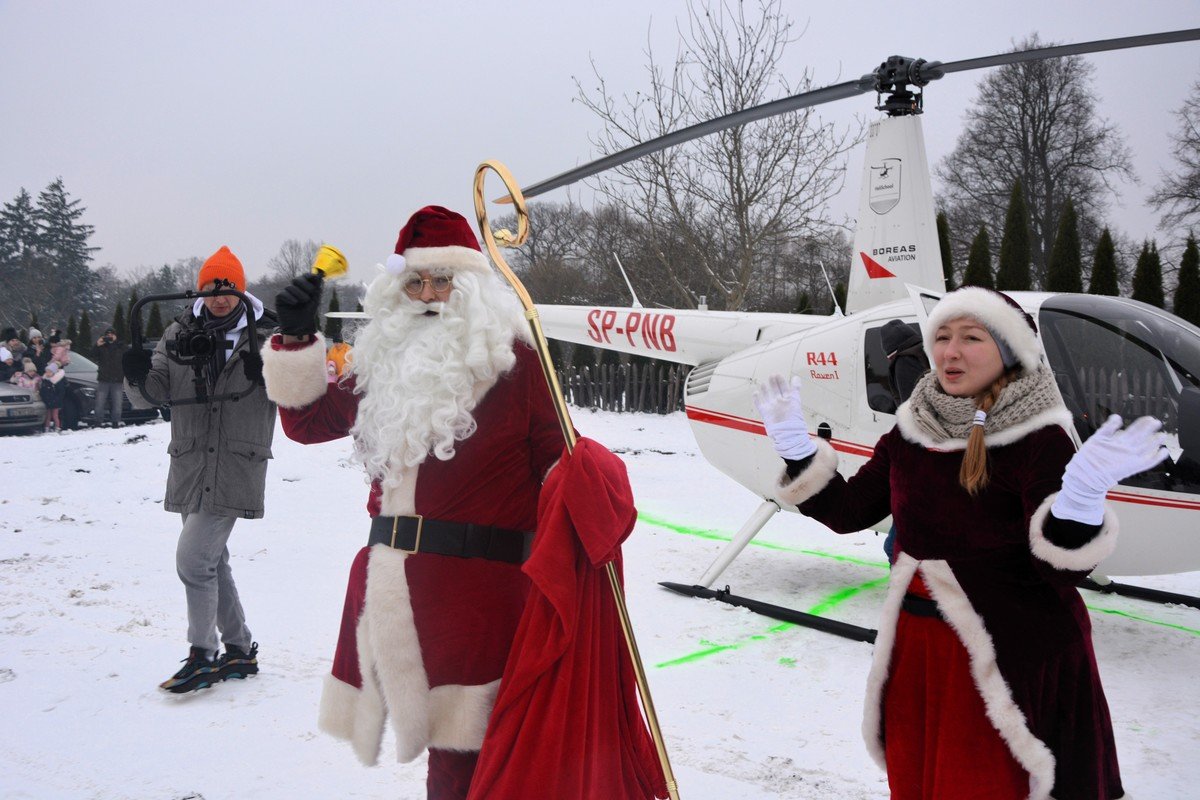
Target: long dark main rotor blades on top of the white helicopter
(922, 75)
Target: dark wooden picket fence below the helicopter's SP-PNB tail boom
(653, 388)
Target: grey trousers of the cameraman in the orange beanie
(202, 561)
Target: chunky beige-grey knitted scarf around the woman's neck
(944, 417)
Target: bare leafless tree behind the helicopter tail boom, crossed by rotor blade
(711, 209)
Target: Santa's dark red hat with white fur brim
(437, 239)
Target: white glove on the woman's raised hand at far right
(1108, 458)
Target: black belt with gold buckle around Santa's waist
(417, 534)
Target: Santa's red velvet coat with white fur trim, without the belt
(424, 637)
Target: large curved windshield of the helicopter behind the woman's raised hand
(1120, 357)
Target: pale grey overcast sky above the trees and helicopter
(185, 127)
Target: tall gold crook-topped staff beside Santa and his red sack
(565, 419)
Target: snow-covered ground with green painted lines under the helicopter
(92, 619)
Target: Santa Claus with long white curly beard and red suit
(453, 423)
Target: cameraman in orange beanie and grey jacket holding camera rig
(219, 453)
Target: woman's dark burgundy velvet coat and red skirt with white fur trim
(1006, 592)
